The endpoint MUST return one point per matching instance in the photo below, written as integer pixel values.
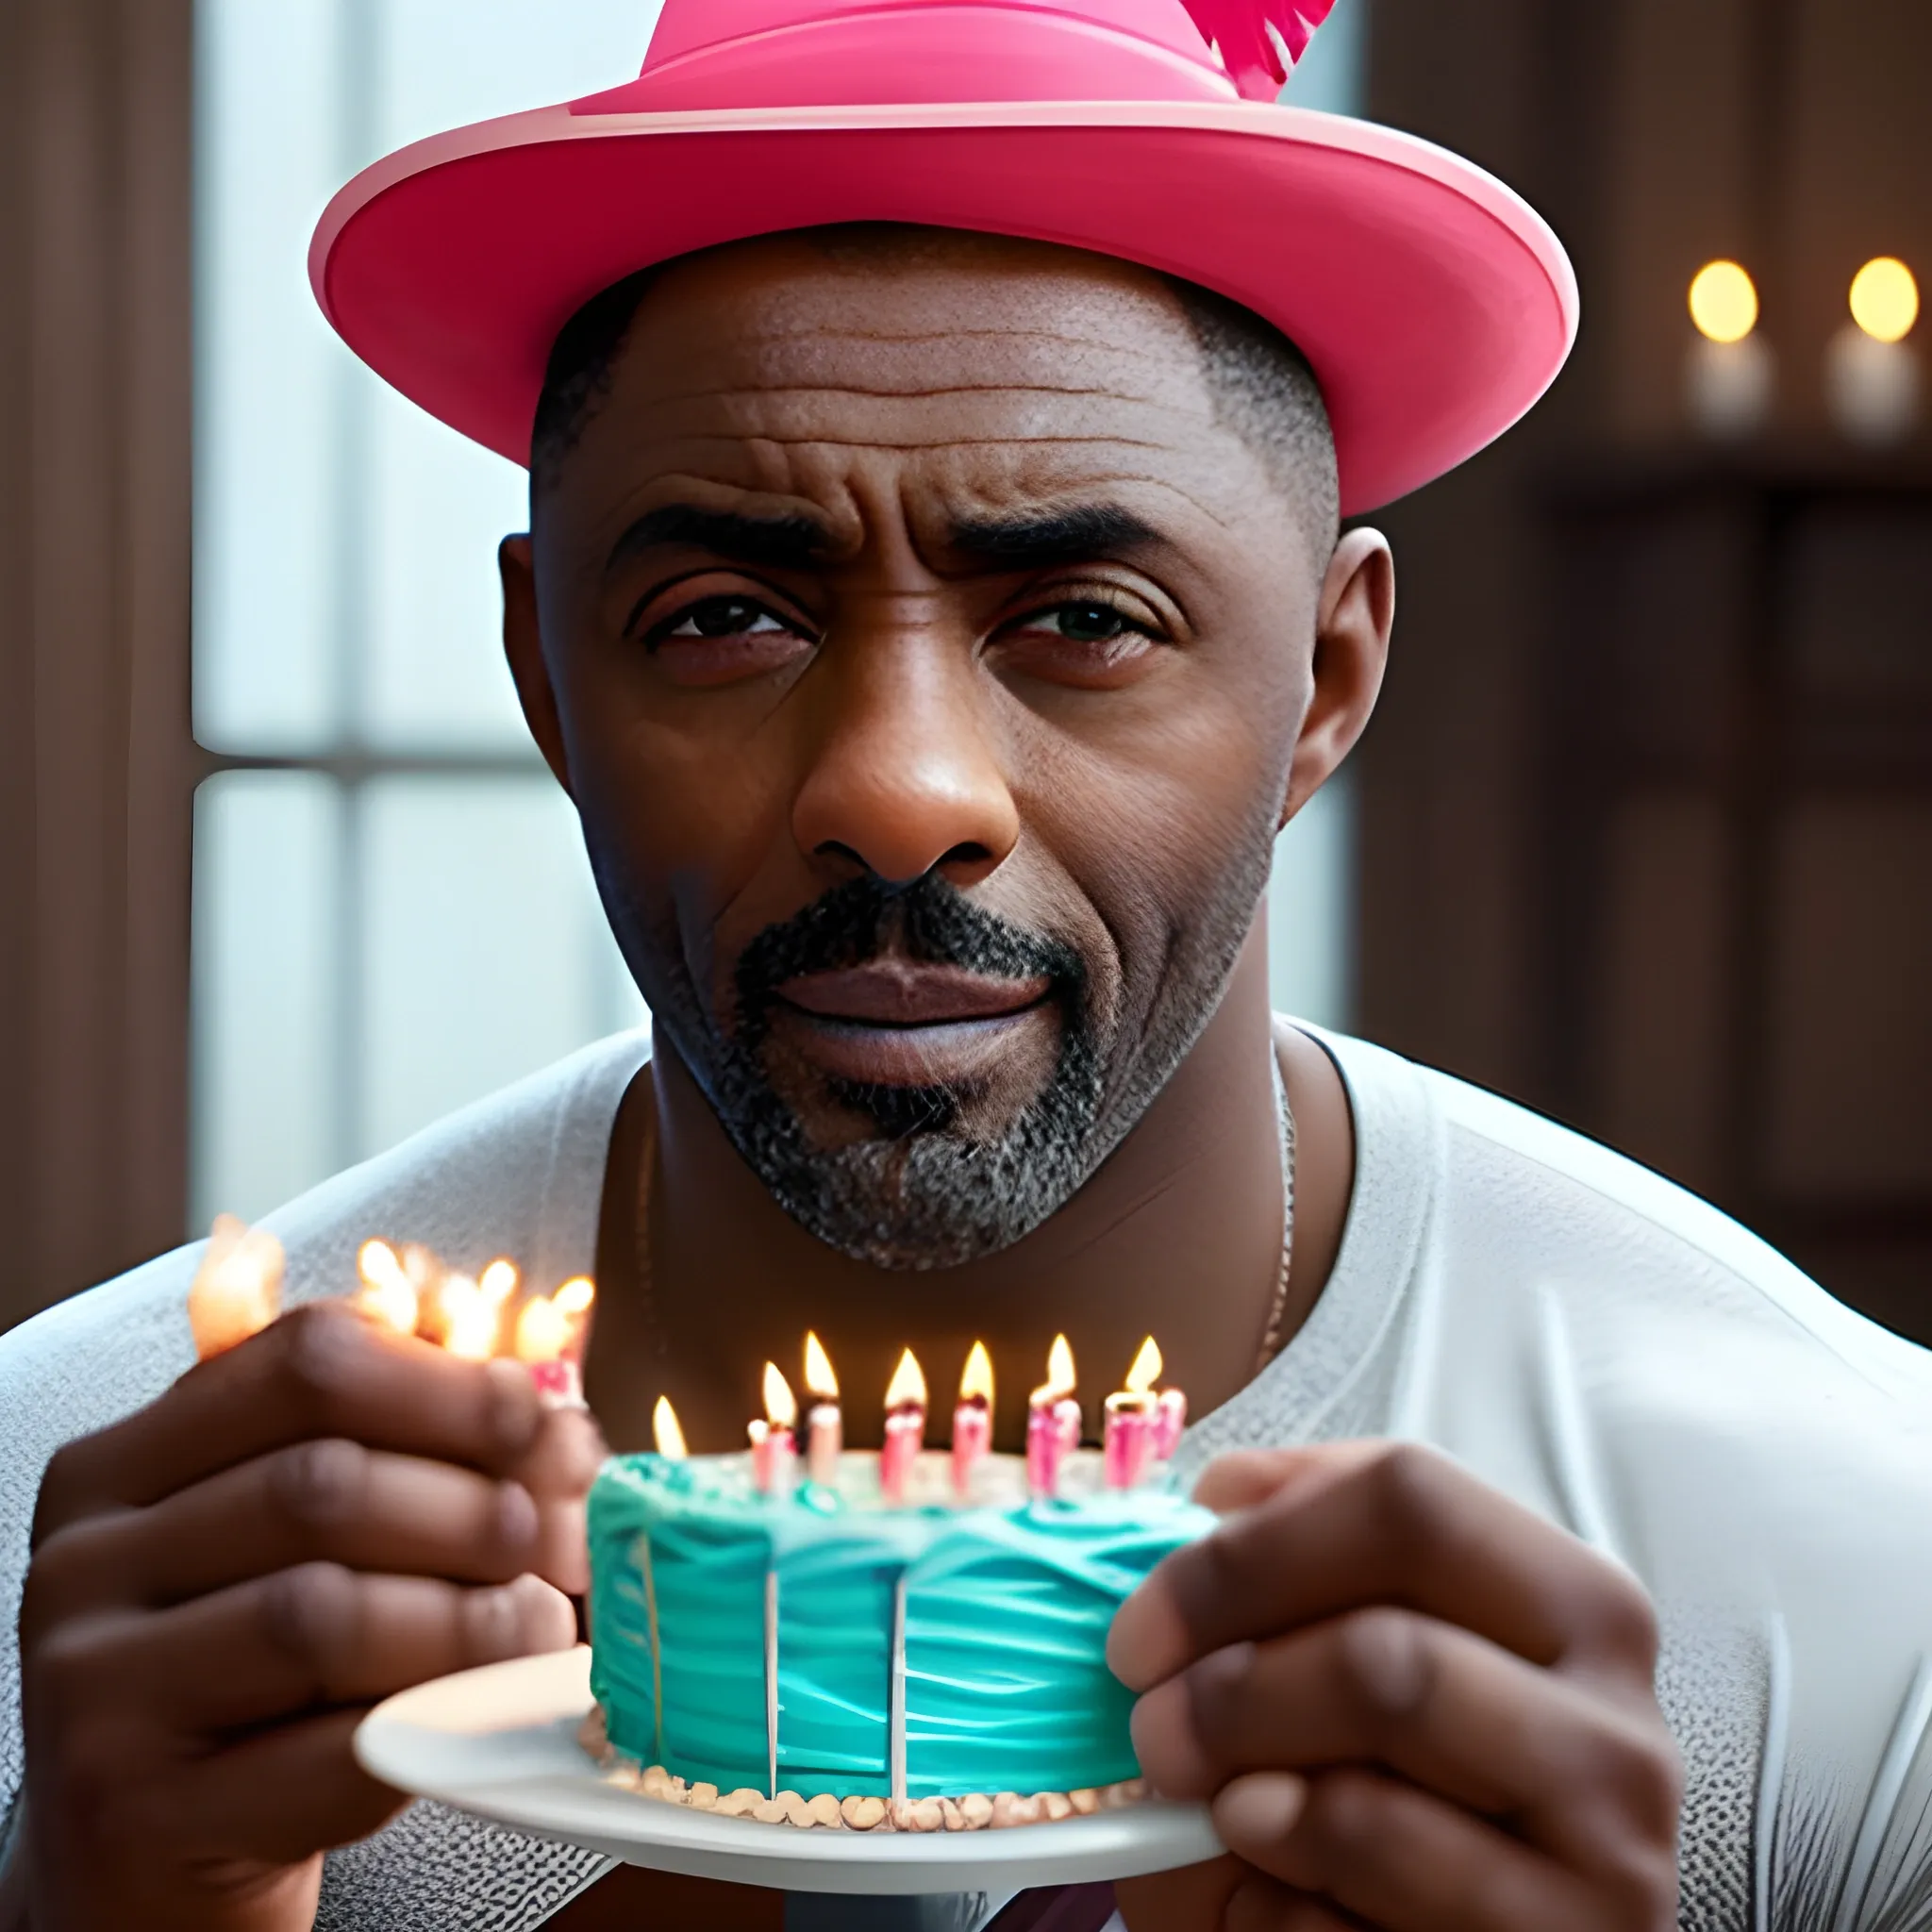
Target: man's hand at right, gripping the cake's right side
(1415, 1707)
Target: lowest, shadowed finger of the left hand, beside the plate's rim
(283, 1796)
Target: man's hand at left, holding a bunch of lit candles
(221, 1587)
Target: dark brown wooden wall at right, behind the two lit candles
(1649, 809)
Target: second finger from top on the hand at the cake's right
(1568, 1769)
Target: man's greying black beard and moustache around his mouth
(924, 1187)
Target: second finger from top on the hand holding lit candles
(316, 1502)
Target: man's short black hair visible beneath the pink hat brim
(1263, 385)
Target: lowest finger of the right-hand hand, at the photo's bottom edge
(1409, 1863)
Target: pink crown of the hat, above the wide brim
(712, 55)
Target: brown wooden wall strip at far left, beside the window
(96, 123)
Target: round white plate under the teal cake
(501, 1742)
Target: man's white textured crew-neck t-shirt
(1576, 1330)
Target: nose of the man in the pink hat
(905, 778)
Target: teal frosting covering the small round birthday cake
(1008, 1614)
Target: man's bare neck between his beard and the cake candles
(1178, 1236)
